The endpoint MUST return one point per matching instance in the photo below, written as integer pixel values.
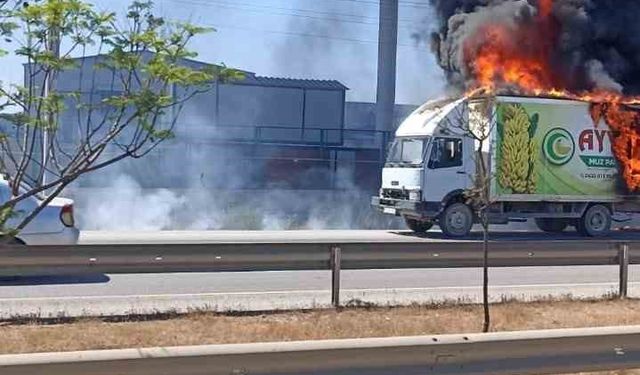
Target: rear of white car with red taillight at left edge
(54, 225)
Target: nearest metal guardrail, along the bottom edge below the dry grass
(528, 352)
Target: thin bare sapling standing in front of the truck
(476, 119)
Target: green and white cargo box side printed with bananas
(550, 149)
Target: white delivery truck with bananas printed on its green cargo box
(547, 158)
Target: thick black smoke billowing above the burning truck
(586, 44)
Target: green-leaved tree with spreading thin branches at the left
(145, 60)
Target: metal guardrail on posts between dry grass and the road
(267, 256)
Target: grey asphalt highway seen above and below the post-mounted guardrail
(148, 293)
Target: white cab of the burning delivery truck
(429, 166)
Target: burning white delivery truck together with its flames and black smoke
(556, 83)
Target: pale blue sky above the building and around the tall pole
(311, 39)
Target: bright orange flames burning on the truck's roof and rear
(518, 58)
